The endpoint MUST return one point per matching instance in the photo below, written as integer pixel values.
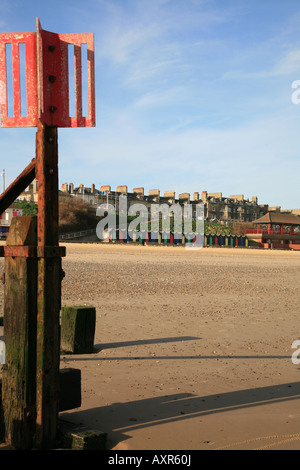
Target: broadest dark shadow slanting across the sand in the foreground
(119, 418)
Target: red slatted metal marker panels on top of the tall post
(47, 79)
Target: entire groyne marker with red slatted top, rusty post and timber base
(30, 394)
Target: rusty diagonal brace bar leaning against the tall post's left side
(17, 186)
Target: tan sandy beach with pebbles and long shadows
(193, 348)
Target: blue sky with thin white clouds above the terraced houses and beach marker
(191, 95)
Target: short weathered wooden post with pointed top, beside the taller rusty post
(18, 377)
